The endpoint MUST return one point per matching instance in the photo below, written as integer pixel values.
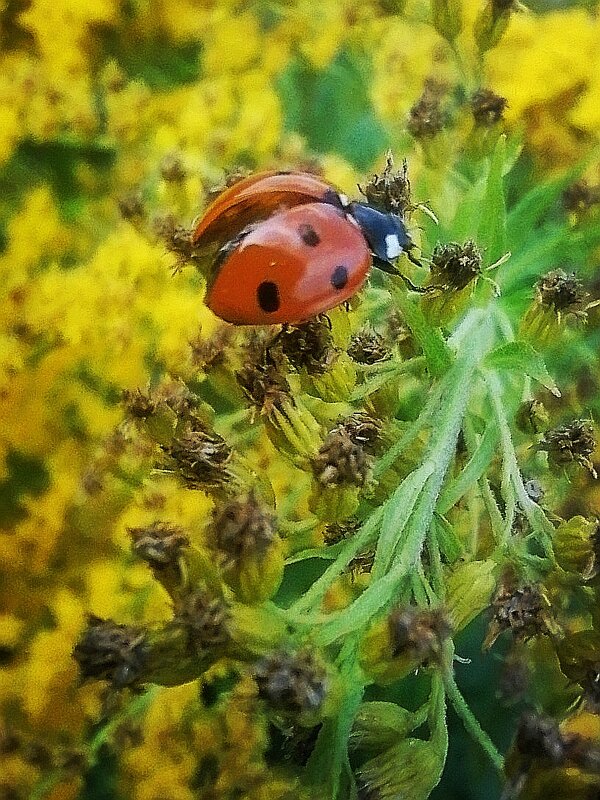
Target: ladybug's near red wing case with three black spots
(291, 267)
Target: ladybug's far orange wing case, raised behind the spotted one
(254, 199)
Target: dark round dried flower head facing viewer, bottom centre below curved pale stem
(294, 683)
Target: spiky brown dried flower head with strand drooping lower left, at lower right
(525, 611)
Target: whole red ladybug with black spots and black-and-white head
(299, 248)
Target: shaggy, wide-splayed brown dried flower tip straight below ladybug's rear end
(199, 457)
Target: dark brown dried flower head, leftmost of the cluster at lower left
(113, 652)
